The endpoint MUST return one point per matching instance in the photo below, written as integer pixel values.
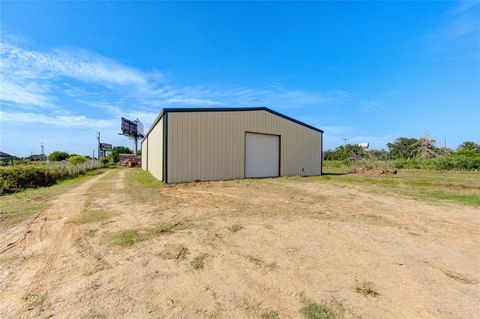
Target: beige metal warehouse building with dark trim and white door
(185, 145)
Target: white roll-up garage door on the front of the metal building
(262, 155)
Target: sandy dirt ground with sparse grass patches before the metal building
(240, 249)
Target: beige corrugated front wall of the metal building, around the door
(211, 145)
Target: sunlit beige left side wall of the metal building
(155, 150)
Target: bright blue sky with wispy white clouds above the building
(367, 71)
